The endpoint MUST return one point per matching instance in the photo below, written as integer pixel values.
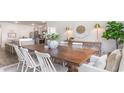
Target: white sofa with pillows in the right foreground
(107, 64)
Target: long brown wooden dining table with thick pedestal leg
(74, 57)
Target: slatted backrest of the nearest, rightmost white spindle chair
(45, 61)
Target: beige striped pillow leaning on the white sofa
(113, 61)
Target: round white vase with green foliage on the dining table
(53, 43)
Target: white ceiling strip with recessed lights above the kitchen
(37, 23)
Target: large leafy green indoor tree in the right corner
(114, 30)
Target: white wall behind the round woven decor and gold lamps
(89, 35)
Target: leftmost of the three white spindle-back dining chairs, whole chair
(20, 58)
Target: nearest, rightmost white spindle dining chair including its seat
(47, 64)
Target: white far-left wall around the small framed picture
(20, 30)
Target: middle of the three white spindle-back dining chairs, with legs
(31, 63)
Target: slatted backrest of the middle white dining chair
(29, 60)
